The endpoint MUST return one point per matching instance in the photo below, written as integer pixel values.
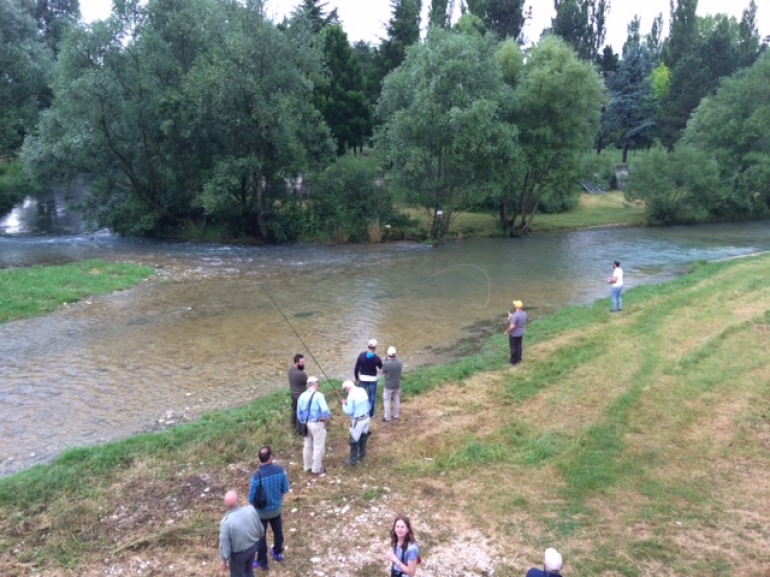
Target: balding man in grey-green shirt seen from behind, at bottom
(239, 534)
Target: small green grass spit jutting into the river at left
(31, 291)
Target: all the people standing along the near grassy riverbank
(243, 530)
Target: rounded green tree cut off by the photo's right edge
(733, 126)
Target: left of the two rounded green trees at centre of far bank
(442, 125)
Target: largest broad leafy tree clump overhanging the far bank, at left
(182, 110)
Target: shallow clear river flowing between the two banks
(209, 331)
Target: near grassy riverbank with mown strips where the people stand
(635, 443)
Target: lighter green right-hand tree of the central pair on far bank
(557, 99)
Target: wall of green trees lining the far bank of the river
(204, 114)
